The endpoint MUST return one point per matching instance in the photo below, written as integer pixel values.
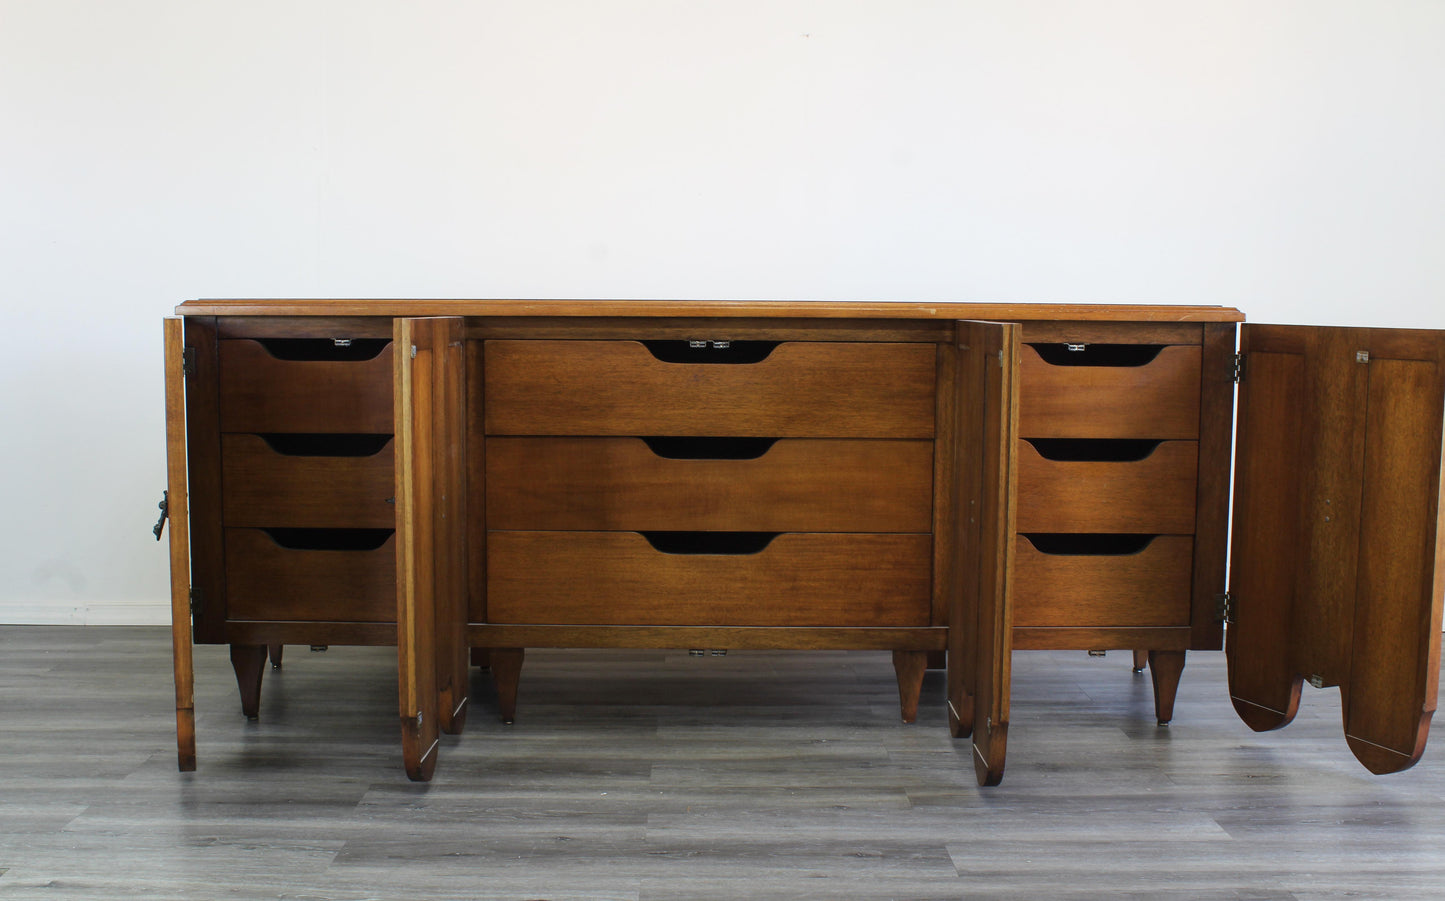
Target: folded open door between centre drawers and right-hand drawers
(985, 366)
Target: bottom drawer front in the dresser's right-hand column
(1149, 588)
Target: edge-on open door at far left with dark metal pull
(178, 515)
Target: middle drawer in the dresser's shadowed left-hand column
(309, 482)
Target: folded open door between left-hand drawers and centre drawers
(431, 542)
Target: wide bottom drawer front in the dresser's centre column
(619, 578)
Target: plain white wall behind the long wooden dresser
(1282, 157)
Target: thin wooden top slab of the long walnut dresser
(762, 310)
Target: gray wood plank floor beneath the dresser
(648, 776)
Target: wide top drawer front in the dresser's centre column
(624, 389)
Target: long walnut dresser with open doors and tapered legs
(949, 483)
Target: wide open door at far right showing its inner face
(1336, 573)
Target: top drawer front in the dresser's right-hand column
(1160, 399)
